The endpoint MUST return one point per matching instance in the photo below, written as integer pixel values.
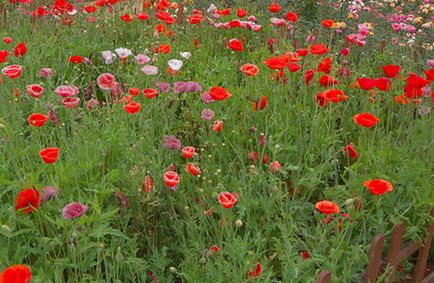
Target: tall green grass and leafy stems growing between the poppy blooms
(106, 150)
